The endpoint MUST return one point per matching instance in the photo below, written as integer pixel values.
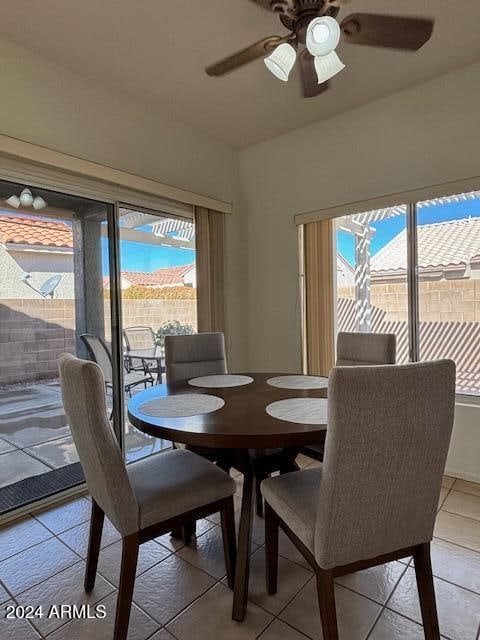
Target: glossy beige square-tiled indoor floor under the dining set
(180, 592)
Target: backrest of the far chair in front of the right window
(354, 349)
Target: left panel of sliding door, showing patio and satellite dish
(52, 251)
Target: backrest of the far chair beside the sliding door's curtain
(189, 356)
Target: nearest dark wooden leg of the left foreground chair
(127, 582)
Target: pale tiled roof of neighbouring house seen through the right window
(440, 245)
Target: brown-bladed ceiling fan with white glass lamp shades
(314, 36)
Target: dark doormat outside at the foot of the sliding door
(35, 488)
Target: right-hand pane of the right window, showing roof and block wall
(448, 238)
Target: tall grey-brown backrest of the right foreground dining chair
(389, 430)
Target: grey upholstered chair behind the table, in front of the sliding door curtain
(203, 354)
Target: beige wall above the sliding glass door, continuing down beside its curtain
(44, 104)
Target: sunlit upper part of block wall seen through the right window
(443, 300)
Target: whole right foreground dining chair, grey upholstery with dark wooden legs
(375, 498)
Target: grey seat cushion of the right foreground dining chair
(294, 497)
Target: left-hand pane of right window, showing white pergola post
(371, 265)
